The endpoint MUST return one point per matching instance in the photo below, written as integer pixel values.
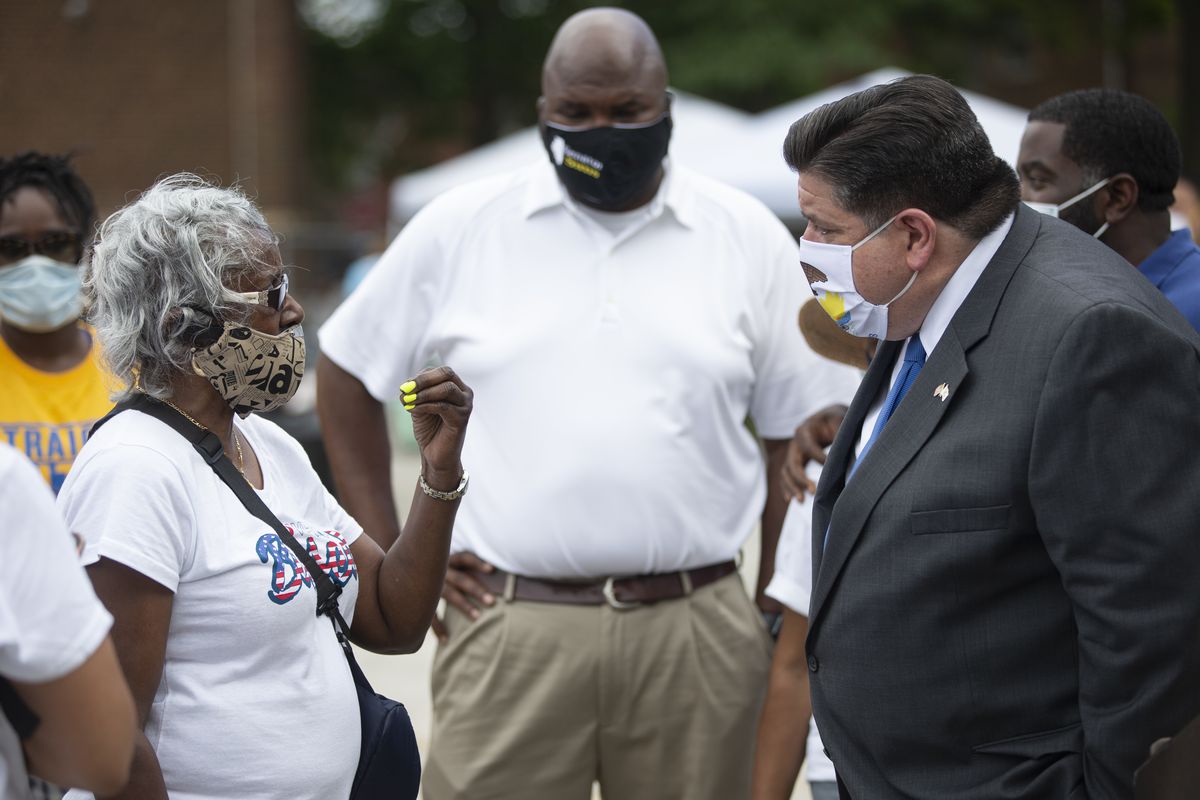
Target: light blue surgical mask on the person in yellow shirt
(39, 294)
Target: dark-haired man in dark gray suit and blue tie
(1005, 599)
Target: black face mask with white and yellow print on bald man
(608, 169)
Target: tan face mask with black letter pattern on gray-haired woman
(253, 371)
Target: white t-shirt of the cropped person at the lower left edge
(51, 621)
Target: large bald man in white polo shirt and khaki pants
(620, 320)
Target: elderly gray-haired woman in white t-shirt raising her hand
(243, 691)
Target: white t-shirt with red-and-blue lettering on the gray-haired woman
(256, 699)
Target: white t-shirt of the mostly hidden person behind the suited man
(793, 586)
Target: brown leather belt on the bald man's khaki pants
(620, 593)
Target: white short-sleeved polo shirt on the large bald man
(614, 366)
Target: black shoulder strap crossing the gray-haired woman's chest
(209, 447)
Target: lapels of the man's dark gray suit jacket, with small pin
(844, 508)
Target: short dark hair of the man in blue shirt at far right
(1109, 131)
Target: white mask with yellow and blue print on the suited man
(831, 273)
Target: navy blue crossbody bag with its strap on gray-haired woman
(389, 762)
